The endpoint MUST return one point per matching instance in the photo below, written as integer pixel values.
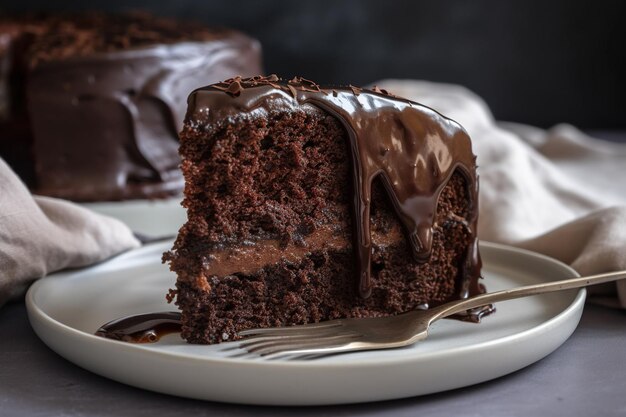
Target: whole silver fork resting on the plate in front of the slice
(346, 335)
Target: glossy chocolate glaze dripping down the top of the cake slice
(414, 149)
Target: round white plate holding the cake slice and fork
(65, 309)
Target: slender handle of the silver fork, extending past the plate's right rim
(519, 292)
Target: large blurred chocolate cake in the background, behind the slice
(90, 105)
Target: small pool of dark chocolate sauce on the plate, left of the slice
(141, 328)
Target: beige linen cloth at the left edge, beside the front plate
(40, 235)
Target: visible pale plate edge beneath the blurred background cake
(152, 218)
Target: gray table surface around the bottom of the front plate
(586, 376)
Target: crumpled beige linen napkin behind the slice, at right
(558, 192)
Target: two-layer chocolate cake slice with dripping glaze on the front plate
(308, 203)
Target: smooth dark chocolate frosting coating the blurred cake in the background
(104, 125)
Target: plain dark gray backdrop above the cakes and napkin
(539, 62)
